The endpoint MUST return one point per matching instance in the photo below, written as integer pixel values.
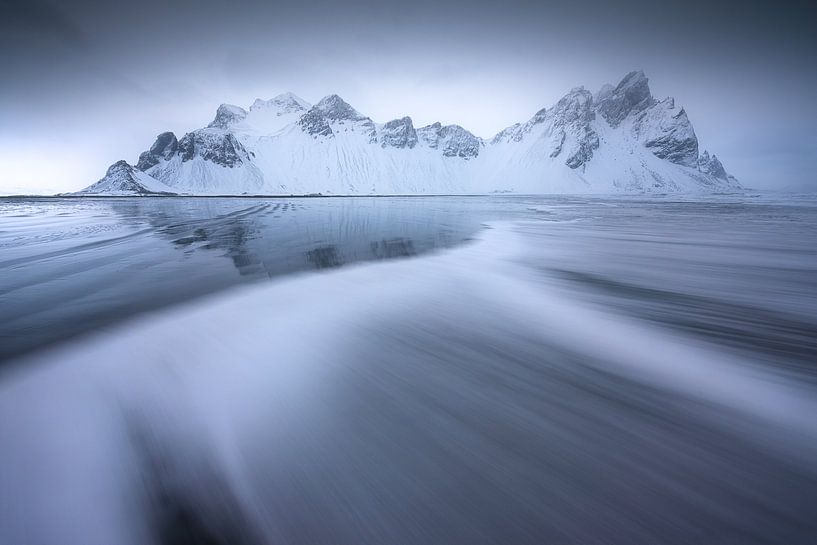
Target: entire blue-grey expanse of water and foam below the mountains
(588, 370)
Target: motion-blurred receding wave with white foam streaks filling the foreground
(480, 395)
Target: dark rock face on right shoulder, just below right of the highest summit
(667, 132)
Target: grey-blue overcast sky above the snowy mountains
(84, 83)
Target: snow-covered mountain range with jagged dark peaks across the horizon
(620, 139)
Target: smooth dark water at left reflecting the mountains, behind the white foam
(74, 266)
